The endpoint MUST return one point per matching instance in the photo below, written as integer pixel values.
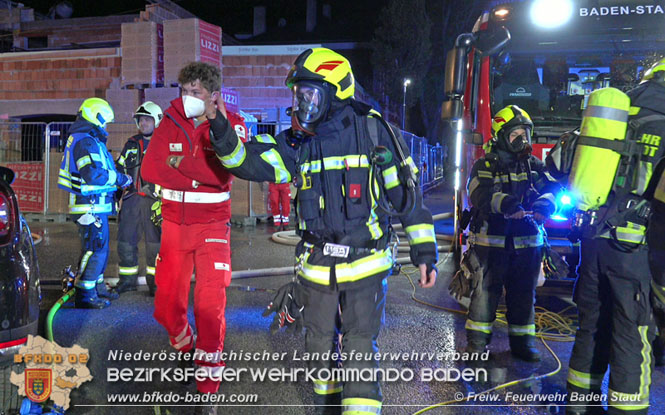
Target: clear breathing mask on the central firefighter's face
(311, 102)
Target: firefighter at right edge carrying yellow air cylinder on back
(616, 325)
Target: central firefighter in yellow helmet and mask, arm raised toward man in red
(345, 253)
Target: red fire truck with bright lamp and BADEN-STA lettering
(545, 56)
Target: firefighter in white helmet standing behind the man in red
(137, 203)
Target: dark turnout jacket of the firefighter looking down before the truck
(499, 185)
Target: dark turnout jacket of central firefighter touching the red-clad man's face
(332, 173)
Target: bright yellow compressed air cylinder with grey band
(594, 167)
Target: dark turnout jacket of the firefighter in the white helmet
(129, 163)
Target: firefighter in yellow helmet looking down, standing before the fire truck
(506, 238)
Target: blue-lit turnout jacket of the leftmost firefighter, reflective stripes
(87, 170)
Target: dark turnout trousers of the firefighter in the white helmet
(133, 222)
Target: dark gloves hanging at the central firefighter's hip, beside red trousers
(287, 308)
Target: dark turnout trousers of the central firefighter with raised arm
(353, 317)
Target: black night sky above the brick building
(353, 19)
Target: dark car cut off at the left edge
(20, 292)
